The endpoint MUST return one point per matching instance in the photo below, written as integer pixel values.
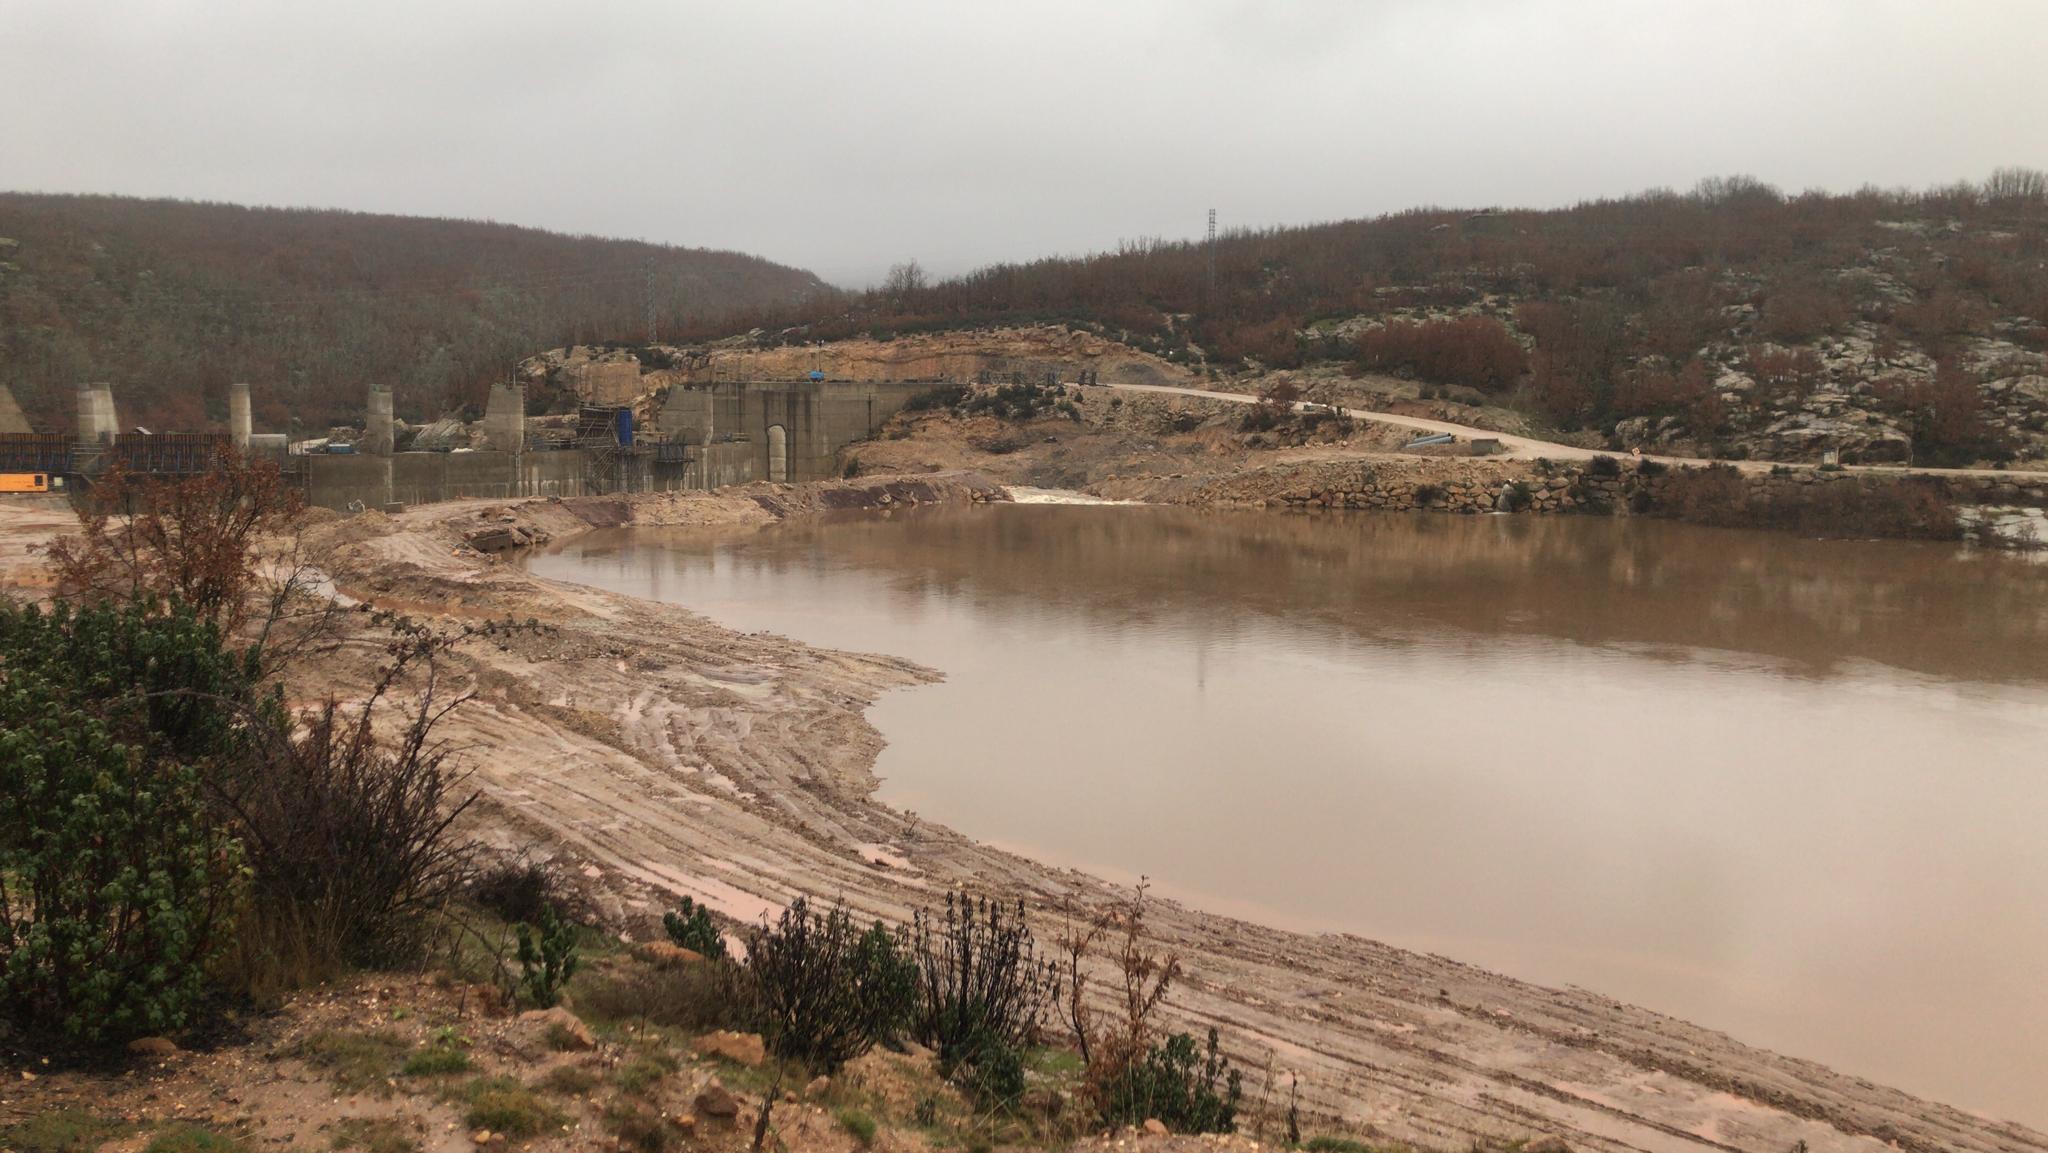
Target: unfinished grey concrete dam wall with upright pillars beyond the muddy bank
(703, 437)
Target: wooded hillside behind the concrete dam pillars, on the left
(173, 300)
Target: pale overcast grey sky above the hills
(845, 136)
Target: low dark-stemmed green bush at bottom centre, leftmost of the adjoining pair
(828, 992)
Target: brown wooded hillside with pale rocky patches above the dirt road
(1885, 325)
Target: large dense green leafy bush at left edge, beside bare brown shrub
(116, 882)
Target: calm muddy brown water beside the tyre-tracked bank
(1789, 789)
